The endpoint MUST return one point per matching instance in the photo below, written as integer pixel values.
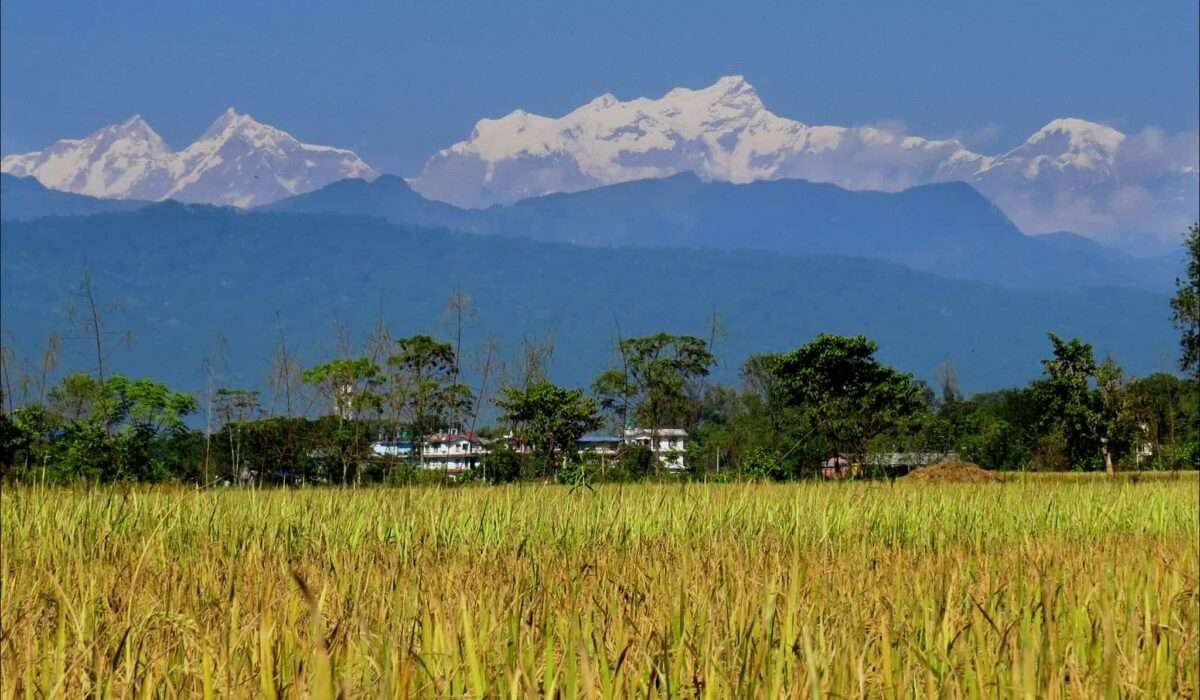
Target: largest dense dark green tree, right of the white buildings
(844, 394)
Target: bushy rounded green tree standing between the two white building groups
(550, 420)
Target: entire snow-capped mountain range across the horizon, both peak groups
(1139, 190)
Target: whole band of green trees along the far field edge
(829, 402)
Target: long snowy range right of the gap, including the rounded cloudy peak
(1072, 175)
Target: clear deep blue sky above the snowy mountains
(398, 81)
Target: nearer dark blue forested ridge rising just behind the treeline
(238, 274)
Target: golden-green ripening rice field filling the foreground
(813, 590)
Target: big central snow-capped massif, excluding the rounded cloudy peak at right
(723, 131)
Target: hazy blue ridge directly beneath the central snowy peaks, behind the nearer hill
(946, 229)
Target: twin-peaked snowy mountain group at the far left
(237, 161)
